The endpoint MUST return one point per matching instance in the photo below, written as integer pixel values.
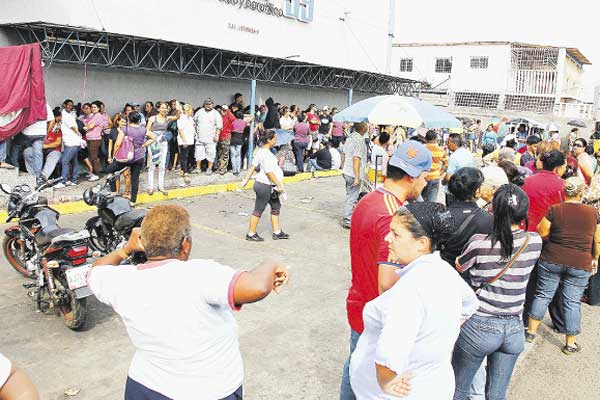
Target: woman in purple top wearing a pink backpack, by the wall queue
(141, 139)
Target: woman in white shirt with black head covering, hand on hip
(410, 330)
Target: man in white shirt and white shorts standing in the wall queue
(208, 127)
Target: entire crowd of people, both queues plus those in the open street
(454, 262)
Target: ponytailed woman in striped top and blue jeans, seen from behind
(498, 267)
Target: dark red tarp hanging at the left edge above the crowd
(21, 87)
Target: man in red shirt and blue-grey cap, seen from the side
(406, 177)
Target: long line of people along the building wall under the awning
(167, 136)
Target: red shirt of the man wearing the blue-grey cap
(370, 225)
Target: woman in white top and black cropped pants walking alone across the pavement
(268, 187)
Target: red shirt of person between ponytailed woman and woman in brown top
(543, 189)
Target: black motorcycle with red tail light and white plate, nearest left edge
(54, 257)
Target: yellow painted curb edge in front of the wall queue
(75, 207)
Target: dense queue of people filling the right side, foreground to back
(472, 281)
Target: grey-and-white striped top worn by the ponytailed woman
(506, 295)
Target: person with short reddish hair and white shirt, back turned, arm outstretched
(178, 312)
